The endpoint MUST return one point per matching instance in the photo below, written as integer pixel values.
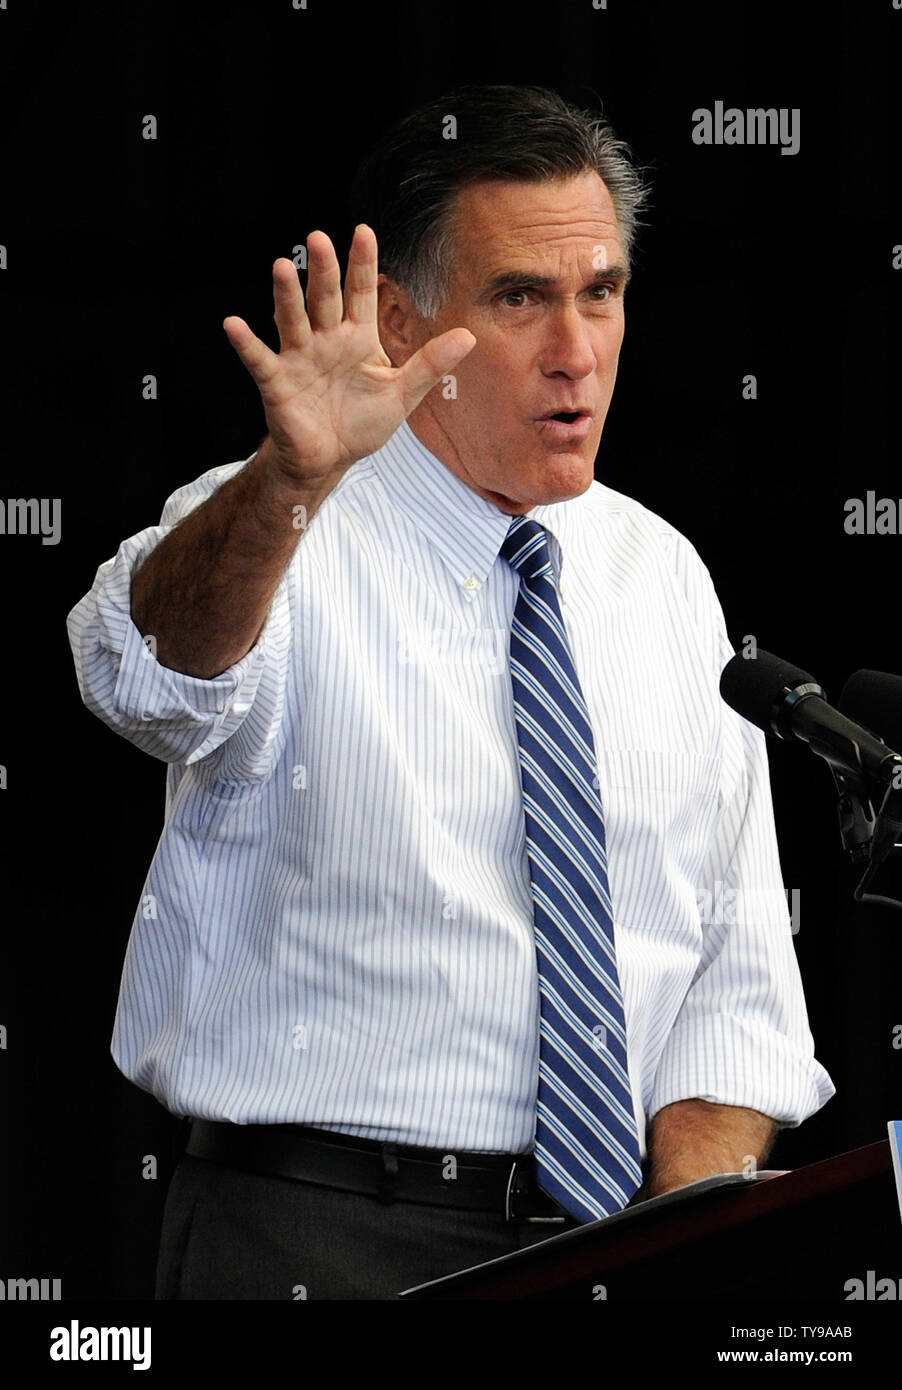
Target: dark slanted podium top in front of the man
(790, 1236)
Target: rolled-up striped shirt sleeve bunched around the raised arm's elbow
(176, 718)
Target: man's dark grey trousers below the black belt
(229, 1234)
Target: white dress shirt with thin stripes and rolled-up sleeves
(337, 925)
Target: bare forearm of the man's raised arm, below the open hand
(205, 590)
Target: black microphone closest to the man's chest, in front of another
(786, 701)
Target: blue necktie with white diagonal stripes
(587, 1149)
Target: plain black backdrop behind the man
(124, 258)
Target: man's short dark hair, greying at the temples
(407, 188)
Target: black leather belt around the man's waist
(504, 1184)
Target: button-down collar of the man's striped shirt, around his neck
(466, 530)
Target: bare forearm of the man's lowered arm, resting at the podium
(694, 1139)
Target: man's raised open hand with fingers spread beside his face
(331, 395)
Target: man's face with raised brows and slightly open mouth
(539, 279)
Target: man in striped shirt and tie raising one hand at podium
(426, 960)
